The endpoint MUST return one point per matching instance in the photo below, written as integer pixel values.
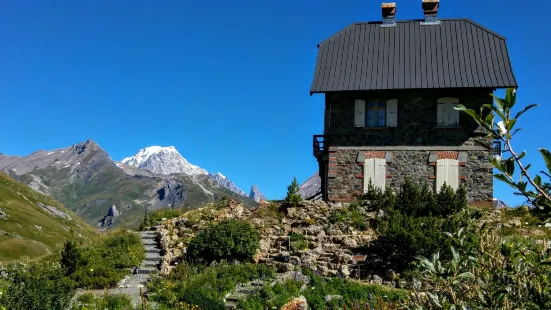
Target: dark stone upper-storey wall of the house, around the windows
(417, 118)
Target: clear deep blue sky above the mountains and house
(225, 82)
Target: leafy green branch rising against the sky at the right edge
(500, 124)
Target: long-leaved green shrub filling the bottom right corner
(493, 274)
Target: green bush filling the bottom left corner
(40, 286)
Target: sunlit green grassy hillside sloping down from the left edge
(33, 225)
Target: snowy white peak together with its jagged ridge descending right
(167, 160)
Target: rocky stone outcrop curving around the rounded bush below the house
(303, 237)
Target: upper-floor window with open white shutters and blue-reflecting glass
(376, 113)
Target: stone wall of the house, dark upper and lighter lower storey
(411, 147)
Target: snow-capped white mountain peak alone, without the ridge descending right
(162, 160)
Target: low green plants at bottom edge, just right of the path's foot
(203, 286)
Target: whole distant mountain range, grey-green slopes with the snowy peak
(87, 181)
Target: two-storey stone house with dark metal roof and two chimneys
(390, 91)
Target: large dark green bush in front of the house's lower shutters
(415, 222)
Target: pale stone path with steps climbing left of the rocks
(137, 280)
